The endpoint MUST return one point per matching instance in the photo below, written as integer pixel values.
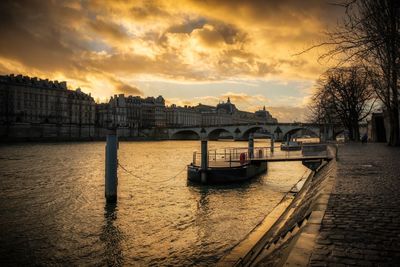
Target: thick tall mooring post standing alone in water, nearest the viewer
(111, 178)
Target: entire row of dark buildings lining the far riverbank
(38, 108)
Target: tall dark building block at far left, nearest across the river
(41, 108)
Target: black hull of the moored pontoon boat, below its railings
(226, 175)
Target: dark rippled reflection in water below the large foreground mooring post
(111, 236)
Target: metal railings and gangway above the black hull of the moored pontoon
(237, 156)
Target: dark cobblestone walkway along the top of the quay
(361, 225)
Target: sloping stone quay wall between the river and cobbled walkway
(268, 243)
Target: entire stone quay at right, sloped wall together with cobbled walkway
(348, 213)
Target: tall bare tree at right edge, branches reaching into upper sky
(370, 35)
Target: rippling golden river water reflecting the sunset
(53, 210)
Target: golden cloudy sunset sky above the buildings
(188, 51)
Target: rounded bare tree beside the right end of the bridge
(344, 95)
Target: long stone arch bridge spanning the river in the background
(242, 131)
